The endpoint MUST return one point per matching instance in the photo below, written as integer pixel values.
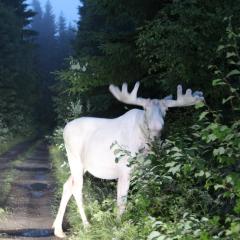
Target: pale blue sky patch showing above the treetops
(68, 7)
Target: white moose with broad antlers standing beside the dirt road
(88, 140)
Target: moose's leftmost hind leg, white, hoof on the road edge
(66, 195)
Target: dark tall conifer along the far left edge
(16, 65)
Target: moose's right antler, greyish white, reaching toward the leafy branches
(187, 99)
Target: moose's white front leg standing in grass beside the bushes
(122, 192)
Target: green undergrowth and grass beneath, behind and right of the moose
(188, 186)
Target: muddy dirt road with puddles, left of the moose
(28, 203)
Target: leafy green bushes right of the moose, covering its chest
(196, 171)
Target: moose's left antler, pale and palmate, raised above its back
(126, 97)
